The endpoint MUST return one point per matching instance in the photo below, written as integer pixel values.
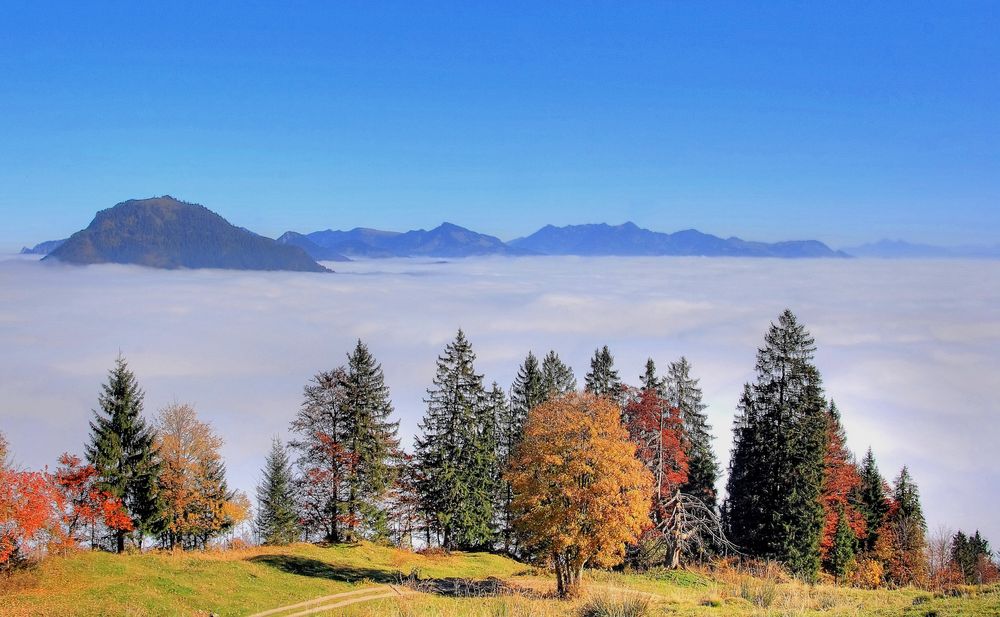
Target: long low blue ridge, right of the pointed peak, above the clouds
(630, 239)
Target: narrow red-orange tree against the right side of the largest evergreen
(841, 482)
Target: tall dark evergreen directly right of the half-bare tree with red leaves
(372, 443)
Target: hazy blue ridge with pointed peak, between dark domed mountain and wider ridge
(445, 240)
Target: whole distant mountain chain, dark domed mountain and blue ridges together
(166, 233)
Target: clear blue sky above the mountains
(840, 121)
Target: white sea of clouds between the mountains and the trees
(909, 350)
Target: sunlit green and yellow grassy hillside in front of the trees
(256, 580)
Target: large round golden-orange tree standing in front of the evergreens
(580, 492)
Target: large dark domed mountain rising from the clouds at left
(163, 232)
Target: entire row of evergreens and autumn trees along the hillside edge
(538, 471)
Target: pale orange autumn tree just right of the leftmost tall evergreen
(197, 504)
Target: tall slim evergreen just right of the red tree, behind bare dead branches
(684, 393)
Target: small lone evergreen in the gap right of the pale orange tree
(277, 521)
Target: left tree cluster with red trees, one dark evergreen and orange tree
(164, 482)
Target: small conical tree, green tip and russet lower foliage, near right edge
(901, 539)
